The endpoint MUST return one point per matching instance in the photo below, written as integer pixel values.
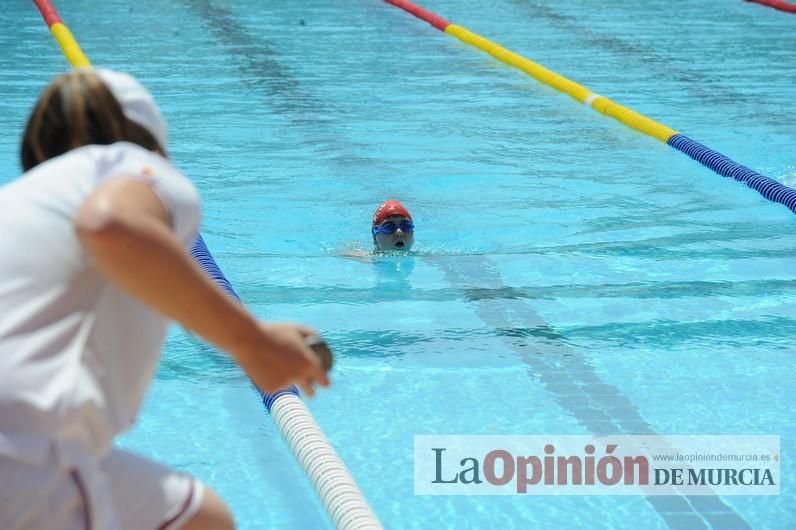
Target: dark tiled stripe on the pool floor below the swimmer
(573, 382)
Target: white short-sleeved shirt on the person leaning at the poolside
(76, 353)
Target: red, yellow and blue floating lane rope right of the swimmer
(769, 188)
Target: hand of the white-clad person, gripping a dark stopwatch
(281, 358)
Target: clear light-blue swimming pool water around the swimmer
(571, 276)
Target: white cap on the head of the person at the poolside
(136, 102)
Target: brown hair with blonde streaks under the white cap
(78, 109)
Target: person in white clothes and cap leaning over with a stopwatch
(94, 264)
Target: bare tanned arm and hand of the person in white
(125, 229)
